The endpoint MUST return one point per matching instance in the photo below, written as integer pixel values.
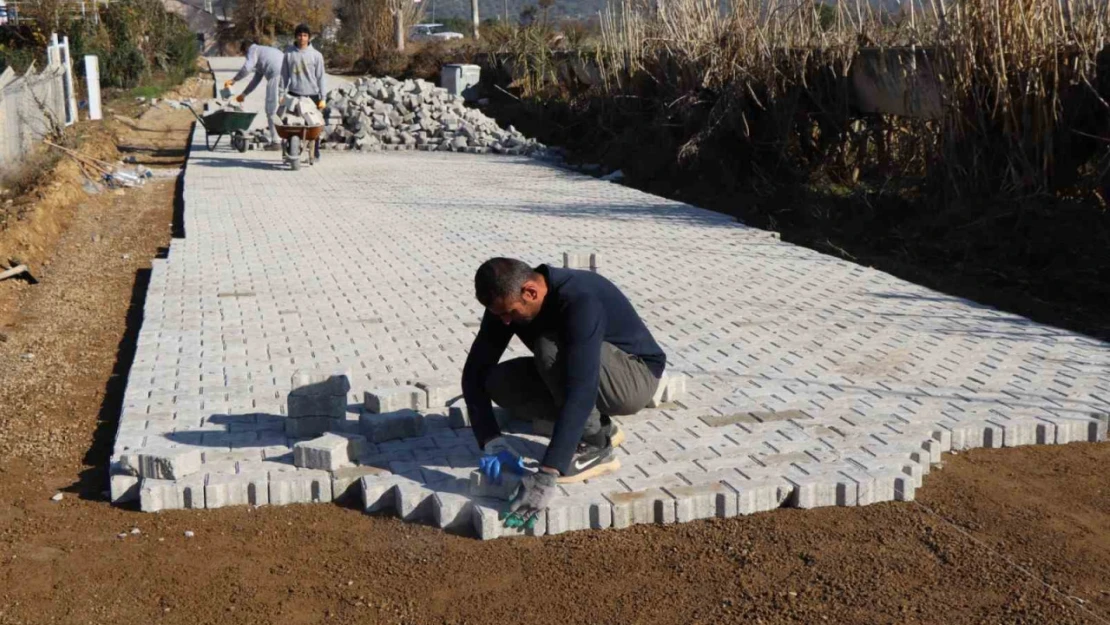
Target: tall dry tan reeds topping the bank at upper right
(1024, 86)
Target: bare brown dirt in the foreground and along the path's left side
(988, 533)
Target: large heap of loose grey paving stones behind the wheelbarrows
(386, 114)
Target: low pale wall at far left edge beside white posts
(27, 104)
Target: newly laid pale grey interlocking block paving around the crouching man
(811, 381)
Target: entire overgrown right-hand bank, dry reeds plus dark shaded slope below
(992, 182)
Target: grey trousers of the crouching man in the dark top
(534, 389)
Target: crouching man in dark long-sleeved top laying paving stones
(593, 358)
